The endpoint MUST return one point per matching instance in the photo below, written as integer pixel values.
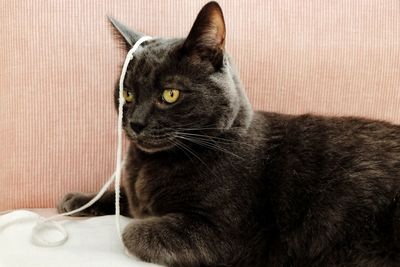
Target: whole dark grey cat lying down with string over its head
(244, 188)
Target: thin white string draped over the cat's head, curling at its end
(50, 222)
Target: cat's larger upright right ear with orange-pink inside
(206, 39)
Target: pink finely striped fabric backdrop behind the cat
(59, 63)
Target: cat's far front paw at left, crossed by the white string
(73, 201)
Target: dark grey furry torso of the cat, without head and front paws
(298, 193)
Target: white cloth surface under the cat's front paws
(91, 242)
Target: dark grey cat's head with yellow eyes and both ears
(176, 88)
